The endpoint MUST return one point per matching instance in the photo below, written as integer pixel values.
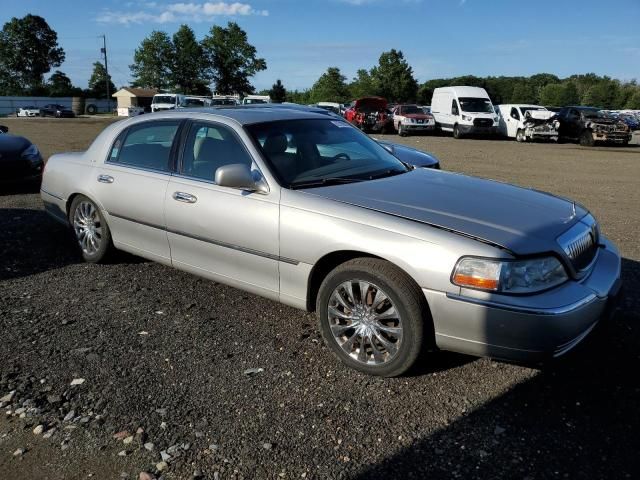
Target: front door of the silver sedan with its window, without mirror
(222, 233)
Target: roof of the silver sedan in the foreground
(250, 114)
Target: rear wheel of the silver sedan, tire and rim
(95, 243)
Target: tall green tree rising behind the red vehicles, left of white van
(393, 77)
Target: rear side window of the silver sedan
(147, 145)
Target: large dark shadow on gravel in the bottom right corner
(576, 418)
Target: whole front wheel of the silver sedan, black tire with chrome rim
(402, 303)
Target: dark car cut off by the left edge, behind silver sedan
(20, 160)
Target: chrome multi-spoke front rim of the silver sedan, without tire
(364, 322)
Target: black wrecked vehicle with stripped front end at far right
(588, 125)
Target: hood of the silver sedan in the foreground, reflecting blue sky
(521, 220)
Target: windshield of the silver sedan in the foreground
(316, 152)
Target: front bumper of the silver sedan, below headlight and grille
(530, 328)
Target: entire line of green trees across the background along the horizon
(225, 59)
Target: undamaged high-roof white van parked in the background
(464, 111)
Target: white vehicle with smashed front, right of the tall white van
(528, 122)
